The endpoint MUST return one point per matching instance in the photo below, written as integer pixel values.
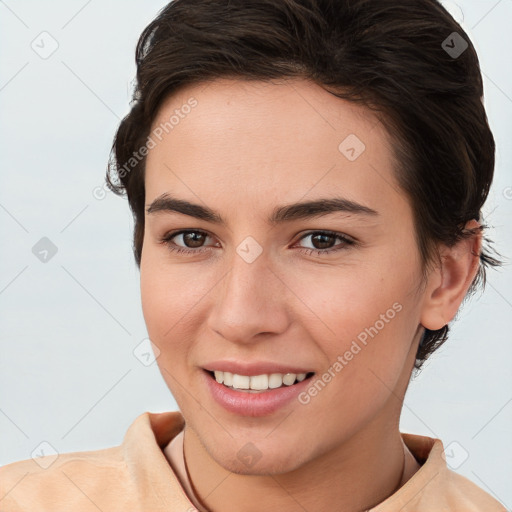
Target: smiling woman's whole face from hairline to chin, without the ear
(246, 283)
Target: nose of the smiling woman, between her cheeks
(251, 300)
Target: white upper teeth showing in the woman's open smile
(257, 383)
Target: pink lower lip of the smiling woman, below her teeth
(253, 404)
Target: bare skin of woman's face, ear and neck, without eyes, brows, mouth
(247, 147)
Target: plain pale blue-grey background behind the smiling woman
(69, 327)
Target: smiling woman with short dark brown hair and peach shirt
(306, 178)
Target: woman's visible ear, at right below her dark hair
(449, 282)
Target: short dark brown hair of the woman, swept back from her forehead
(407, 60)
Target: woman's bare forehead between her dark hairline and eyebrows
(276, 141)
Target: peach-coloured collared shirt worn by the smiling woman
(136, 476)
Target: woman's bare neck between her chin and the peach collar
(363, 472)
